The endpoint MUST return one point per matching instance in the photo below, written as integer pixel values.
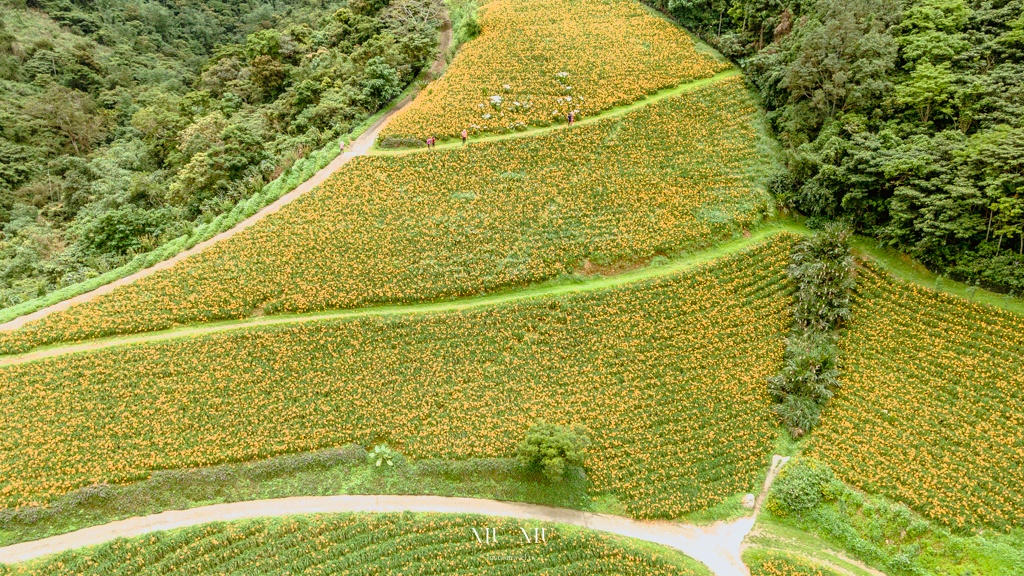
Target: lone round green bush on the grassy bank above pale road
(553, 450)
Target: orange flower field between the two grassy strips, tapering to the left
(667, 179)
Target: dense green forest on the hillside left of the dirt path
(126, 124)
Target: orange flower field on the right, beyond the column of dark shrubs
(932, 407)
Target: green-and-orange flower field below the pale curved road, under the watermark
(361, 544)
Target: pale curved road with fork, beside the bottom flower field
(717, 546)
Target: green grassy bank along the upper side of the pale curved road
(344, 471)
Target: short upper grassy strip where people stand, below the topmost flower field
(614, 112)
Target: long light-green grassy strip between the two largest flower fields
(439, 307)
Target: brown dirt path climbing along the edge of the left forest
(360, 147)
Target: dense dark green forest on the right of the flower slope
(905, 118)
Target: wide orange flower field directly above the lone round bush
(668, 374)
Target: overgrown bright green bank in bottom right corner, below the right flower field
(810, 513)
